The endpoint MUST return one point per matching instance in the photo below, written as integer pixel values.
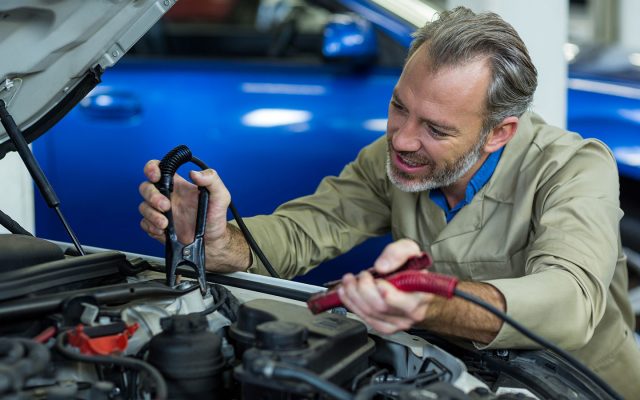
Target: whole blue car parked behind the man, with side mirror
(275, 95)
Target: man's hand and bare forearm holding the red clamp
(388, 310)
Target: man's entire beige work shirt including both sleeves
(544, 230)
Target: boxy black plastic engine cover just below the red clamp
(332, 346)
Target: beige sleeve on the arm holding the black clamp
(343, 212)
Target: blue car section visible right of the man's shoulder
(604, 102)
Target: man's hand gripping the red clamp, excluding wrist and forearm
(382, 306)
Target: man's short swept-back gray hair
(459, 36)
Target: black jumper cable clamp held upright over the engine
(176, 253)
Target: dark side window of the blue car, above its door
(276, 30)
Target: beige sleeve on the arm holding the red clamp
(572, 254)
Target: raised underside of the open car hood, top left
(54, 51)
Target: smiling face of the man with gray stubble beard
(435, 123)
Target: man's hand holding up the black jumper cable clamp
(226, 248)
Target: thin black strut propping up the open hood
(34, 170)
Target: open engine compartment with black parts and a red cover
(106, 326)
